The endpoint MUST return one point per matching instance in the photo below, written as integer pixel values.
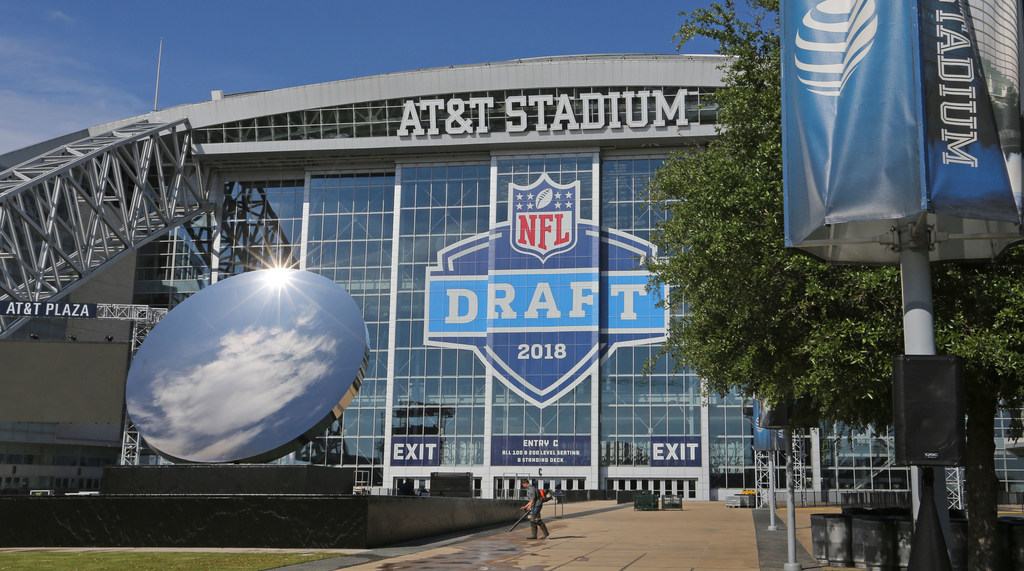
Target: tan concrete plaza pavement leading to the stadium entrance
(602, 536)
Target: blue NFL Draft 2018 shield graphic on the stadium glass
(545, 296)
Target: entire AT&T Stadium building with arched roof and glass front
(491, 222)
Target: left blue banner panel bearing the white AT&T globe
(850, 113)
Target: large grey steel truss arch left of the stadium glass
(66, 213)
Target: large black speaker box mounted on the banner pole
(928, 411)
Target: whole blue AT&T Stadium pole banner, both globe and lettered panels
(887, 113)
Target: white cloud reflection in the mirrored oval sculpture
(216, 409)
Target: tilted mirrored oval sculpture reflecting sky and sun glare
(249, 369)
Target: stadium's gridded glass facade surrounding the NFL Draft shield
(376, 233)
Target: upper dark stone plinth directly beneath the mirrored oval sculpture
(228, 479)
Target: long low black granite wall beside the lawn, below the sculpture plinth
(271, 521)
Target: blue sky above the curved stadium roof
(66, 66)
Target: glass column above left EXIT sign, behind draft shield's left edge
(438, 392)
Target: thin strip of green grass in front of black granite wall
(95, 561)
